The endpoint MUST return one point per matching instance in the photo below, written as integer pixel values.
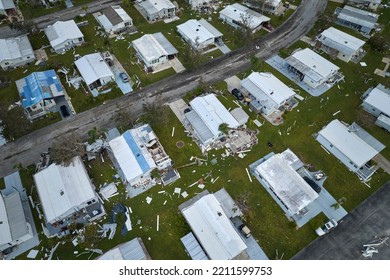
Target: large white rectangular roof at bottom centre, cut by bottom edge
(213, 229)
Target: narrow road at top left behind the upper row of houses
(65, 14)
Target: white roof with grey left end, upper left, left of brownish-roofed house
(61, 31)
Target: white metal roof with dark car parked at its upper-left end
(268, 89)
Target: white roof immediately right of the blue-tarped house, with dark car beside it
(92, 67)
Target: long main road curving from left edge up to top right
(26, 150)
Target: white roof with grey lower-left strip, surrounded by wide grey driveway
(312, 64)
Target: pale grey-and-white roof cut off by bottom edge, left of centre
(131, 250)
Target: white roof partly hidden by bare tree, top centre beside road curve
(237, 12)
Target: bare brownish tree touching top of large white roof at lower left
(65, 149)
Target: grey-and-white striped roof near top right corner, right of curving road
(358, 16)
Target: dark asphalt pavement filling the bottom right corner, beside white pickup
(369, 220)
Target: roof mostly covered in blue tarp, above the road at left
(36, 87)
